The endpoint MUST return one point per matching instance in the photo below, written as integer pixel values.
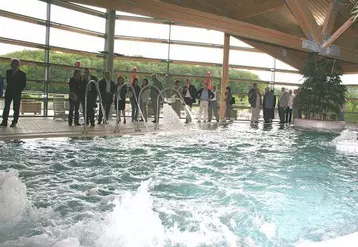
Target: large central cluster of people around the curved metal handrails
(109, 91)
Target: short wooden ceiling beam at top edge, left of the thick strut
(259, 9)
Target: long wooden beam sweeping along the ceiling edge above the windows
(200, 19)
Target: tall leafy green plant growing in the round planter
(322, 94)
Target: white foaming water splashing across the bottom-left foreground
(132, 223)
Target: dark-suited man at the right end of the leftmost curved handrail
(107, 89)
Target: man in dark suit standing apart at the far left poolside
(16, 83)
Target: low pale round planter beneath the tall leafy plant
(320, 124)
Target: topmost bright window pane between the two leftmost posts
(77, 19)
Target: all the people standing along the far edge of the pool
(110, 91)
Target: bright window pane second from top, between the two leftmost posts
(75, 41)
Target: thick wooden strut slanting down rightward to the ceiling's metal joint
(304, 17)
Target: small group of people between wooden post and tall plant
(268, 102)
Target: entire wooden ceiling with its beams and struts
(277, 27)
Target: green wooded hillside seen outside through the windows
(62, 75)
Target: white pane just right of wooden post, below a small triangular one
(251, 59)
